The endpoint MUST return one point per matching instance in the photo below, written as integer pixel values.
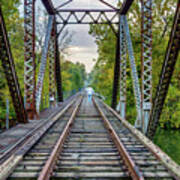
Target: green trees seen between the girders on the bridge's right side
(102, 74)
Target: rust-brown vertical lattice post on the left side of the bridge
(29, 57)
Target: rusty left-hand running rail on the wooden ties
(51, 162)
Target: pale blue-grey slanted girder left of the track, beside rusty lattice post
(43, 62)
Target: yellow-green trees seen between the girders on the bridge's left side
(73, 74)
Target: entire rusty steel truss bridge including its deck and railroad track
(80, 138)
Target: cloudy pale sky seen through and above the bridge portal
(82, 47)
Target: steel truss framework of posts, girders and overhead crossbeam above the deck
(143, 96)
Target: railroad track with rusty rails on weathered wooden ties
(90, 141)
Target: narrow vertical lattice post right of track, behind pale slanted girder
(123, 61)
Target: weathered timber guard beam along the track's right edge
(159, 154)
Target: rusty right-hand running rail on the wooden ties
(134, 171)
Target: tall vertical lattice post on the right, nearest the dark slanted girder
(146, 61)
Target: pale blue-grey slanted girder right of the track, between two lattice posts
(136, 86)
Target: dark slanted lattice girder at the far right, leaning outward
(166, 74)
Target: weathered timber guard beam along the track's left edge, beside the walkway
(10, 164)
